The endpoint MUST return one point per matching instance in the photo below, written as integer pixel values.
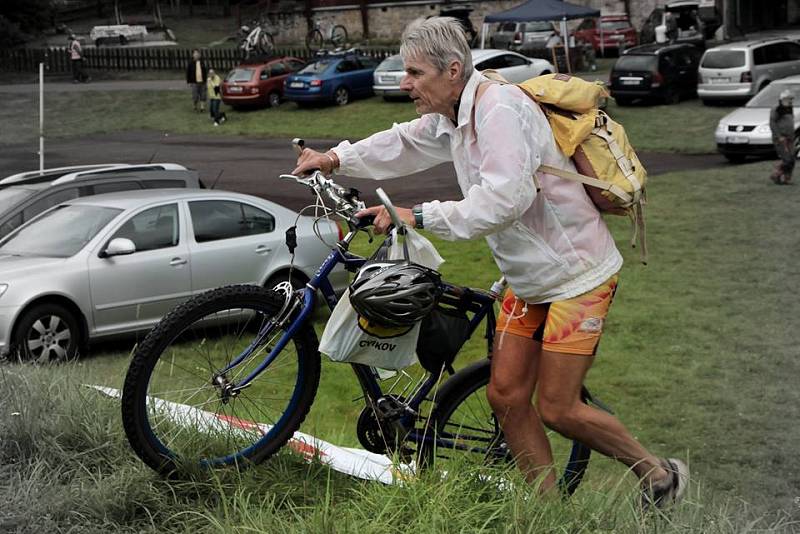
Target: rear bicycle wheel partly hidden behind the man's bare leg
(467, 389)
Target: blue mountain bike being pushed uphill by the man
(202, 379)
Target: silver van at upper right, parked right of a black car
(739, 70)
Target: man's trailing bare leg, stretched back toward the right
(561, 409)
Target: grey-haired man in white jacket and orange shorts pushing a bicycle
(551, 244)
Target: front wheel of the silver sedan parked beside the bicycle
(46, 333)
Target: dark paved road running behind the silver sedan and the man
(251, 165)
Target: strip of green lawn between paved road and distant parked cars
(687, 127)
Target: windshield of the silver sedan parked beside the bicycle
(59, 233)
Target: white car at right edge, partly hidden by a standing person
(746, 132)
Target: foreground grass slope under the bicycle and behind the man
(699, 360)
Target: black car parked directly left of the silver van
(663, 72)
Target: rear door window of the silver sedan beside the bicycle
(226, 219)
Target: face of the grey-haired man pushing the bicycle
(430, 89)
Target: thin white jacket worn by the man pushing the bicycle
(551, 245)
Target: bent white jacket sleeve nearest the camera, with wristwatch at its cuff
(506, 189)
